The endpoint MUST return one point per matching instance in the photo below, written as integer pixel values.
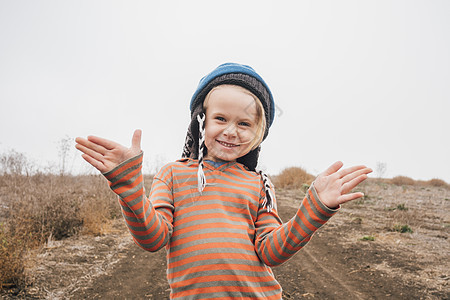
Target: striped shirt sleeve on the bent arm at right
(276, 242)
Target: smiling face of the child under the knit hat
(231, 120)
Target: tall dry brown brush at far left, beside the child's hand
(36, 208)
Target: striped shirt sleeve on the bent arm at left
(150, 227)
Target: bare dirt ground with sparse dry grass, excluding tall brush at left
(359, 254)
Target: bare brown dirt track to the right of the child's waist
(328, 269)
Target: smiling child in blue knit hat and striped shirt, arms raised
(215, 215)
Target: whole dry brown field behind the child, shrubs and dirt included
(62, 237)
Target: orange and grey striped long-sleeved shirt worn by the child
(220, 243)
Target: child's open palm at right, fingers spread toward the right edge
(334, 185)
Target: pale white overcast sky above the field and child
(357, 81)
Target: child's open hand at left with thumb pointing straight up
(104, 154)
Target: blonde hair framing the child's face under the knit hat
(260, 114)
